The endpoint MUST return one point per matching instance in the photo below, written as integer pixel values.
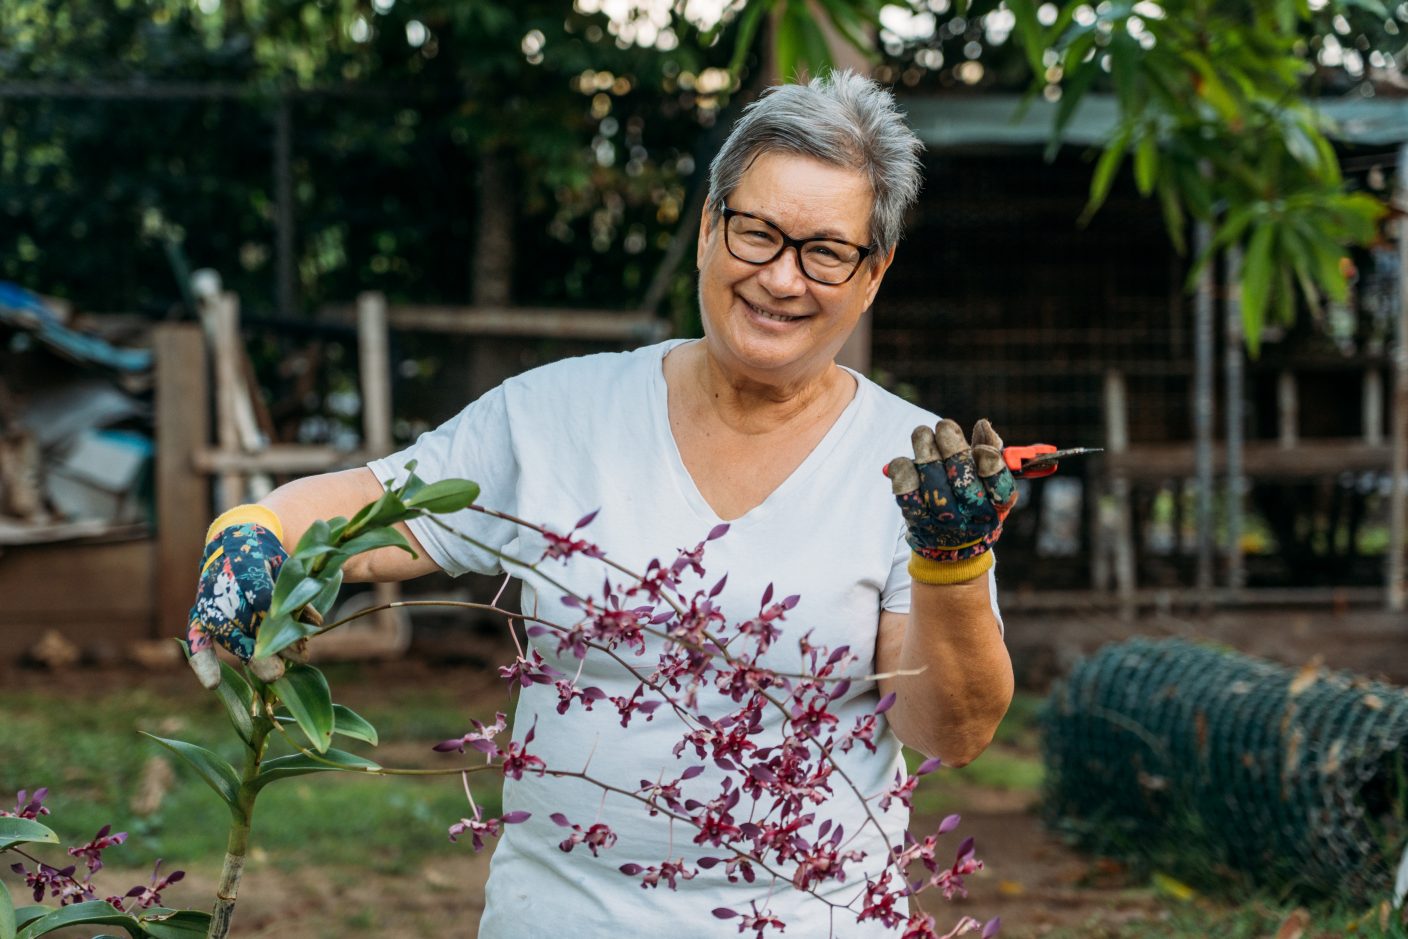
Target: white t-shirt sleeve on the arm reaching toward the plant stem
(477, 444)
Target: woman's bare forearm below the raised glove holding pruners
(964, 682)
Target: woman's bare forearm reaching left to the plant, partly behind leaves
(303, 502)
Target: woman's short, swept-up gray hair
(841, 119)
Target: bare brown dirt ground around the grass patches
(1037, 885)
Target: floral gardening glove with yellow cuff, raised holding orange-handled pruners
(954, 500)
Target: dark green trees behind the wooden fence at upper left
(394, 115)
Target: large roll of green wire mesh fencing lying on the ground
(1296, 781)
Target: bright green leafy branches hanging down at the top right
(1216, 108)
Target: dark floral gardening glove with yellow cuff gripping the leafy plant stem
(237, 575)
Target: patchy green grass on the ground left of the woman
(92, 758)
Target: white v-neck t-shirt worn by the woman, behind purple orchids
(593, 433)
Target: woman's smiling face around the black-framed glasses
(771, 323)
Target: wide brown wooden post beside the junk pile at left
(182, 492)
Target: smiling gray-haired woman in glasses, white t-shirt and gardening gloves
(757, 426)
